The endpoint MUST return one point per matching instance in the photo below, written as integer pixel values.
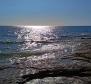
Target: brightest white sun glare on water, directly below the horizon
(36, 33)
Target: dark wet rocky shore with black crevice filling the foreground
(50, 67)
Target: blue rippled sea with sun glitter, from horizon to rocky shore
(17, 42)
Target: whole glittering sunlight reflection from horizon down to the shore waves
(40, 41)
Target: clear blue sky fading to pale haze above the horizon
(45, 12)
